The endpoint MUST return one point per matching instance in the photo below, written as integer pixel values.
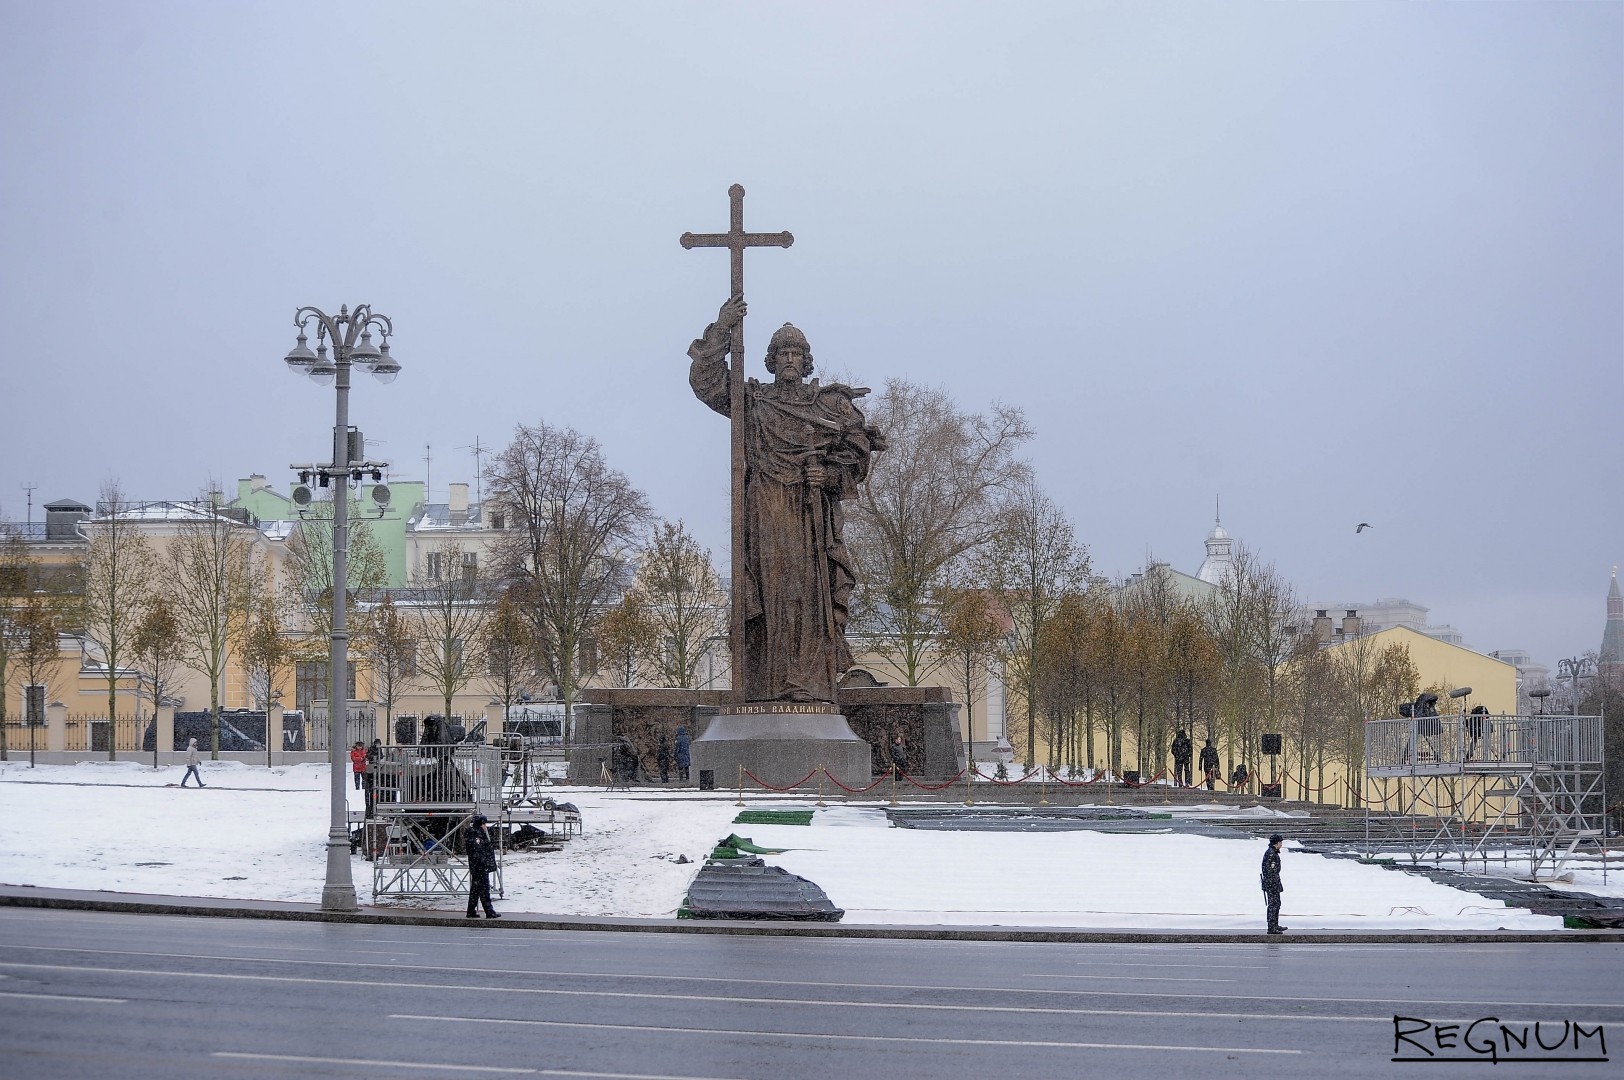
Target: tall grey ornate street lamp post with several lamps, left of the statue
(352, 337)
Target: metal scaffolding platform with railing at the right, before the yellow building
(1484, 788)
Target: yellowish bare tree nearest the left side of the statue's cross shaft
(683, 595)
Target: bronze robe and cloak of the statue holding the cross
(798, 571)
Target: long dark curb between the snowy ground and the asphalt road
(199, 907)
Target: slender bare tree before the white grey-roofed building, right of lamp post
(449, 613)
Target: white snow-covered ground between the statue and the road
(259, 834)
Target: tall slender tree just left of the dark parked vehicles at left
(118, 574)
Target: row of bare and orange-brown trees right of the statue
(967, 566)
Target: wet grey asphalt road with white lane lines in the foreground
(131, 996)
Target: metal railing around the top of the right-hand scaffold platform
(1469, 743)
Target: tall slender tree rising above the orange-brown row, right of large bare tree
(1032, 563)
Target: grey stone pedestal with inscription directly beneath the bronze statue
(780, 743)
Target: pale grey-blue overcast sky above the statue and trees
(1332, 264)
